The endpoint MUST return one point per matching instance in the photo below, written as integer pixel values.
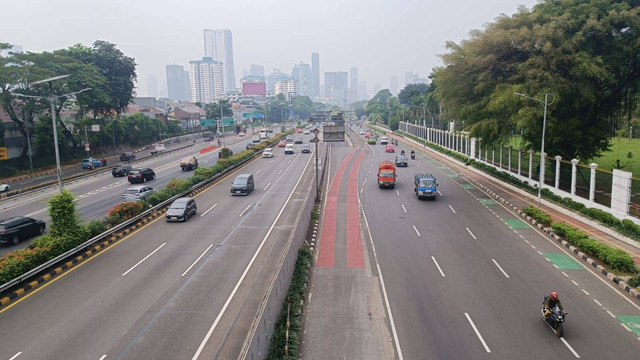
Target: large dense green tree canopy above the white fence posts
(585, 54)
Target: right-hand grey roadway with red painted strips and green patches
(463, 275)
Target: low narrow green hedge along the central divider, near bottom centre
(296, 293)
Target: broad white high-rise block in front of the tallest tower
(206, 78)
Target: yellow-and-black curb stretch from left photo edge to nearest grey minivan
(92, 250)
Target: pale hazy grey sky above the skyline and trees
(380, 37)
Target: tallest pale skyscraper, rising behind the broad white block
(218, 45)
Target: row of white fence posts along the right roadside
(460, 142)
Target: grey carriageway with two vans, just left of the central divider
(169, 290)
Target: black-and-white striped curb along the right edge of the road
(549, 232)
